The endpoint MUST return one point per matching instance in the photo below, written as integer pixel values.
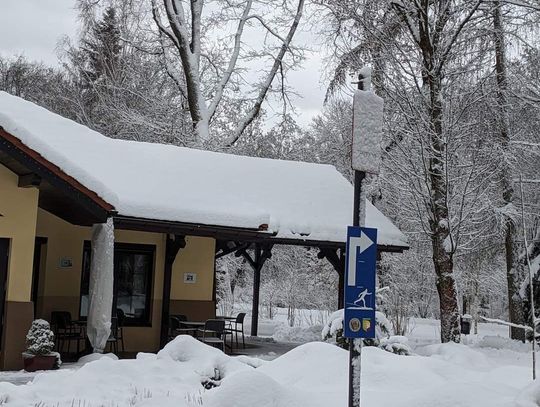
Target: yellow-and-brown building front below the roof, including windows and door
(47, 262)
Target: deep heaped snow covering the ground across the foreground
(487, 370)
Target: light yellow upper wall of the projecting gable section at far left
(18, 223)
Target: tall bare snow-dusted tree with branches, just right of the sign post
(432, 156)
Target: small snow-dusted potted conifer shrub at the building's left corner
(39, 353)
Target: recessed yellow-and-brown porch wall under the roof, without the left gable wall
(60, 286)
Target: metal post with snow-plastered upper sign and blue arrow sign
(359, 297)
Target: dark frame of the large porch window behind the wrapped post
(133, 248)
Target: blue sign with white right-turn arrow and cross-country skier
(360, 268)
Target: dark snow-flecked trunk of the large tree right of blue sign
(431, 26)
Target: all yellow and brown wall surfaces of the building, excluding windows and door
(59, 287)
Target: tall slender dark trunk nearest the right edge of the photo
(515, 306)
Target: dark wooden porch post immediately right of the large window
(173, 245)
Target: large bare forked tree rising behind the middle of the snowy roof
(188, 34)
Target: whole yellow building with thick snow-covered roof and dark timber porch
(174, 210)
